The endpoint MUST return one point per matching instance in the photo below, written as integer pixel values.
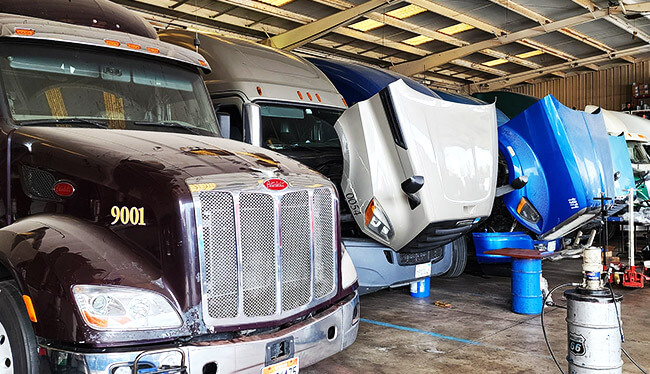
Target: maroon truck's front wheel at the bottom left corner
(18, 348)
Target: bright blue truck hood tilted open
(566, 155)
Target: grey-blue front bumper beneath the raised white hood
(378, 266)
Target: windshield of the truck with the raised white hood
(286, 126)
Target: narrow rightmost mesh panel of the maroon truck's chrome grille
(324, 244)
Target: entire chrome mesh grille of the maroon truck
(266, 254)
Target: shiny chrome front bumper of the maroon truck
(314, 339)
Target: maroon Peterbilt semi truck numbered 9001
(133, 238)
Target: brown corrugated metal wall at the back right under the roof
(610, 88)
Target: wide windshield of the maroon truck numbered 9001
(65, 86)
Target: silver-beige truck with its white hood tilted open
(400, 217)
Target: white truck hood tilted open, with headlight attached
(452, 146)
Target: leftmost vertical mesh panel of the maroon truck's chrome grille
(217, 215)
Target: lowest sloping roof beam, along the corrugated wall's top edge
(499, 83)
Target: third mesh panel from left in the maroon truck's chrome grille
(295, 234)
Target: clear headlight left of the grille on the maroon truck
(124, 308)
